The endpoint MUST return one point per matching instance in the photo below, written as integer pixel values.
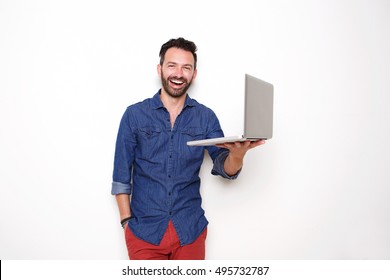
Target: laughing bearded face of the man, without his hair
(177, 72)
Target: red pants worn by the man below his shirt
(169, 248)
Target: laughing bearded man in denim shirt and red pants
(154, 165)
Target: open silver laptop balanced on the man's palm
(258, 118)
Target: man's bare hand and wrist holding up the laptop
(237, 151)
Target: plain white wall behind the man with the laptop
(318, 190)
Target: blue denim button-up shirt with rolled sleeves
(154, 164)
